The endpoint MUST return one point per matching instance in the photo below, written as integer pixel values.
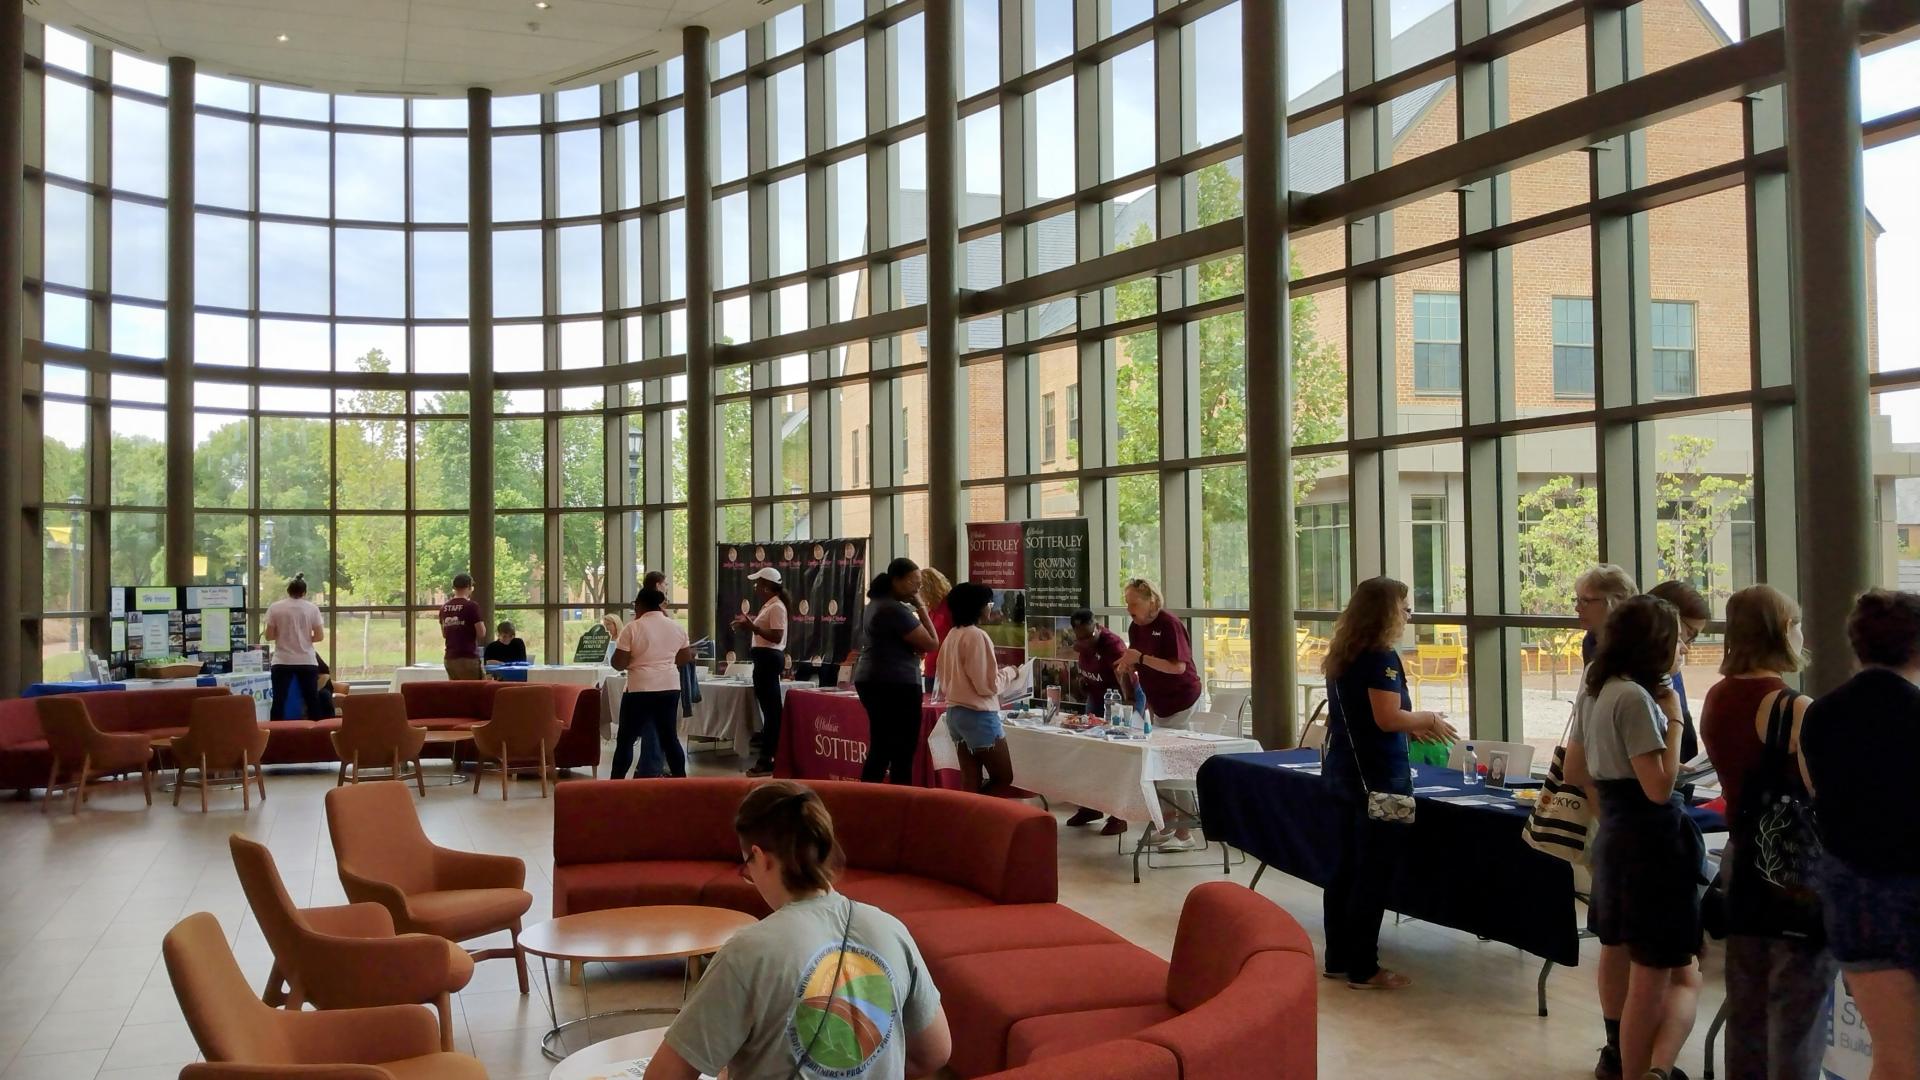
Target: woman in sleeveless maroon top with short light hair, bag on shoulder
(1777, 977)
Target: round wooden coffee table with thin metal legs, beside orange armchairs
(625, 935)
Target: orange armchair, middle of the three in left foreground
(347, 958)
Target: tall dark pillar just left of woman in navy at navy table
(1270, 401)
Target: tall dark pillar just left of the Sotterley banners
(946, 405)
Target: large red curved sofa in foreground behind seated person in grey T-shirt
(1030, 987)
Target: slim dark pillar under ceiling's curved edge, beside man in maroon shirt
(479, 345)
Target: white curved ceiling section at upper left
(412, 47)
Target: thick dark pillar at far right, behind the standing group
(1829, 228)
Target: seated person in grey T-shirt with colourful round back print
(823, 987)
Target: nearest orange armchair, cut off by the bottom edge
(245, 1039)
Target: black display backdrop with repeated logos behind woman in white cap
(827, 581)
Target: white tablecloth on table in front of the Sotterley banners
(1107, 775)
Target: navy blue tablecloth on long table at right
(1466, 866)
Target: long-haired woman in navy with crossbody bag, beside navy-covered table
(1368, 725)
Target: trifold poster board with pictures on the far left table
(204, 624)
